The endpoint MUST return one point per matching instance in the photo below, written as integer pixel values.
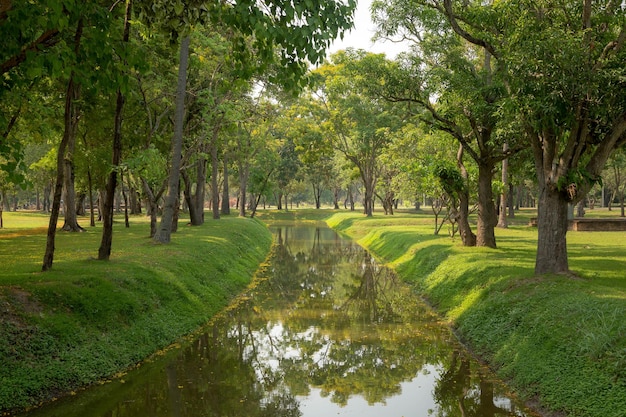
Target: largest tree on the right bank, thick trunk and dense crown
(564, 71)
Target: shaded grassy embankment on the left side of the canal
(86, 320)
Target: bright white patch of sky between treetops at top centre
(361, 36)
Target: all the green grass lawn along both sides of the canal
(560, 340)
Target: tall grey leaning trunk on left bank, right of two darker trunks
(164, 232)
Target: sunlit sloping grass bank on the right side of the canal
(558, 340)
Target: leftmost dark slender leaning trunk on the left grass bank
(70, 123)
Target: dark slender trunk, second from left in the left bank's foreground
(104, 252)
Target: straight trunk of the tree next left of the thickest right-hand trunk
(487, 219)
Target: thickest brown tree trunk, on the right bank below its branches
(552, 230)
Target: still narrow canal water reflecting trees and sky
(326, 331)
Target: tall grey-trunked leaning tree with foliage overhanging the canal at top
(301, 32)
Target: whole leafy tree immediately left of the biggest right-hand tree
(458, 88)
